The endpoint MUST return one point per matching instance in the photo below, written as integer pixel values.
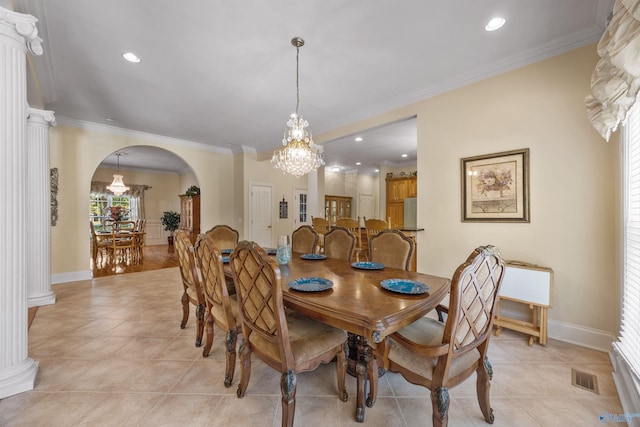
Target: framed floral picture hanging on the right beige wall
(495, 187)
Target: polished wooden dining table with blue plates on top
(358, 304)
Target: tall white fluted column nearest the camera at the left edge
(18, 34)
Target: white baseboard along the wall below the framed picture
(571, 333)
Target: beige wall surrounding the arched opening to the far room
(78, 152)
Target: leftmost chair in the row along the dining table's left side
(190, 282)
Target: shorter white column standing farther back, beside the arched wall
(39, 208)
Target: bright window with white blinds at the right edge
(628, 344)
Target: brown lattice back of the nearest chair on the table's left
(257, 284)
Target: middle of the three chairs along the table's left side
(221, 309)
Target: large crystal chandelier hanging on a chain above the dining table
(299, 156)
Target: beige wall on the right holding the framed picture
(574, 196)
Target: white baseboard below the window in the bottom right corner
(628, 386)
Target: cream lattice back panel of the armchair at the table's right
(474, 290)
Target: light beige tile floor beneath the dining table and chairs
(111, 353)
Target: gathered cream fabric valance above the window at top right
(616, 80)
